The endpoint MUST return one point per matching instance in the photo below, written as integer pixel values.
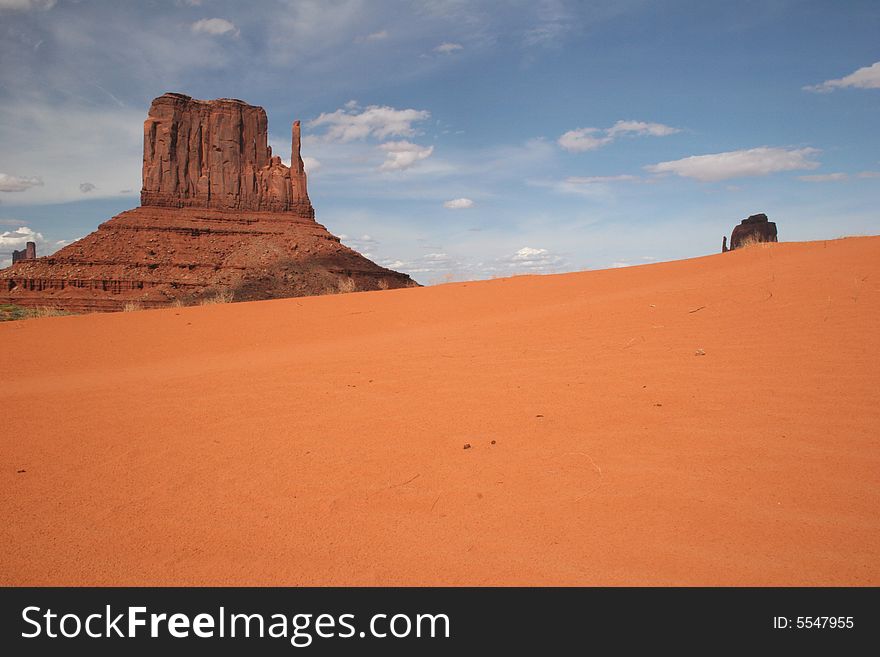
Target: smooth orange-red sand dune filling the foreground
(321, 440)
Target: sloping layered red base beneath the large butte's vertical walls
(152, 257)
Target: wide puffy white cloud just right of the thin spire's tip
(348, 124)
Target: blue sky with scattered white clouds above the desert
(457, 140)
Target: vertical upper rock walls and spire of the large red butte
(214, 154)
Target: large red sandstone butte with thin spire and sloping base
(219, 214)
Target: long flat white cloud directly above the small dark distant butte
(739, 164)
